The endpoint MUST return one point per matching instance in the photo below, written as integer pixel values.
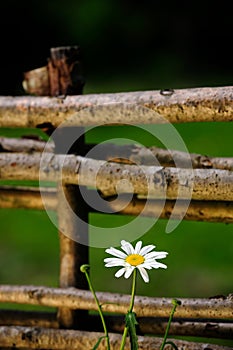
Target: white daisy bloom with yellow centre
(130, 258)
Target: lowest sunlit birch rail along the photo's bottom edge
(42, 338)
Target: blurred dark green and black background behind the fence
(126, 46)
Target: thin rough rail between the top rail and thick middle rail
(130, 154)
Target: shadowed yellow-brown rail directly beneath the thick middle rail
(30, 198)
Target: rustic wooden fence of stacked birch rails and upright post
(72, 327)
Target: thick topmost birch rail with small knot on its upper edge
(142, 107)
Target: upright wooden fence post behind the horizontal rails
(65, 77)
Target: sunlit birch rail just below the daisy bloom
(221, 308)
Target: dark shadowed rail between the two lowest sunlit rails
(146, 325)
